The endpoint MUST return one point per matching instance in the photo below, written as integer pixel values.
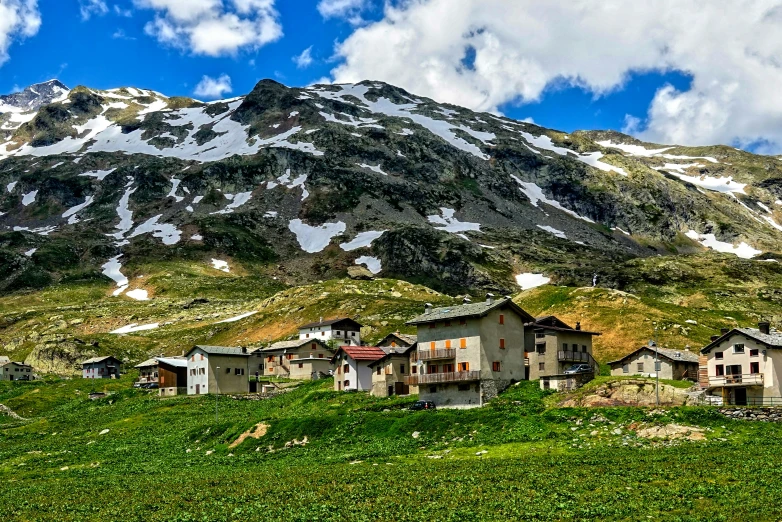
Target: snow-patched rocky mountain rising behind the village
(129, 194)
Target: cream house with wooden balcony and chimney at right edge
(743, 366)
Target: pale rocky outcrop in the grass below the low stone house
(632, 392)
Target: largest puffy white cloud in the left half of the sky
(213, 27)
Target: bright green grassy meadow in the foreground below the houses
(168, 459)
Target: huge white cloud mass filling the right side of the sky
(486, 53)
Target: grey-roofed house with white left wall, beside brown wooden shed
(217, 369)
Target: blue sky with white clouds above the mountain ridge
(670, 71)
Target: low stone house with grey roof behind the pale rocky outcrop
(673, 364)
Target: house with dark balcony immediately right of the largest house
(553, 346)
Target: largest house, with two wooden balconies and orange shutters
(468, 353)
